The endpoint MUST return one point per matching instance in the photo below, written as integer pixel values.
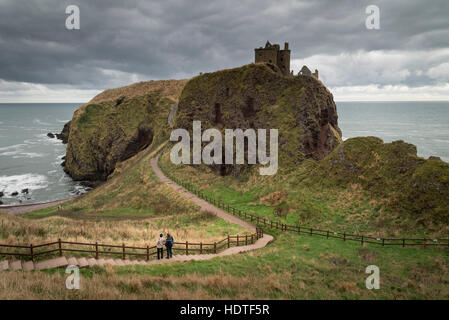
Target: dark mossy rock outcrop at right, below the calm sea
(390, 171)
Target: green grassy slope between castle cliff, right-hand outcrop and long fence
(306, 198)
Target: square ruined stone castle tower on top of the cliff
(272, 54)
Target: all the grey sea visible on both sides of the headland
(29, 159)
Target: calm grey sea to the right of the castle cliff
(424, 124)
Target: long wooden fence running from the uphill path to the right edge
(267, 223)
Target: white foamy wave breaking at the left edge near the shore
(30, 181)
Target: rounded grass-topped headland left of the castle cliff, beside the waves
(117, 124)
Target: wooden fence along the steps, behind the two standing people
(59, 247)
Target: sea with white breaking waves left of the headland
(31, 160)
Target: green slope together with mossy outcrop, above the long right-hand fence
(363, 186)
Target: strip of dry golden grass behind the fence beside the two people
(192, 227)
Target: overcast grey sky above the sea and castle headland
(125, 41)
